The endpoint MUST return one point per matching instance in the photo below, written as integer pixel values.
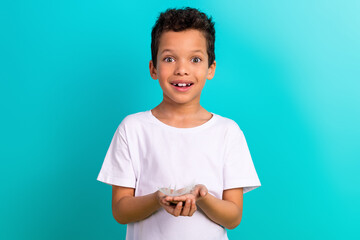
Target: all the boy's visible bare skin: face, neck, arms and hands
(188, 60)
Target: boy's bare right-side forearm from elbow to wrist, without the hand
(223, 212)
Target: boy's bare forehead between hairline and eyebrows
(188, 40)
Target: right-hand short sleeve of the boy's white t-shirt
(239, 170)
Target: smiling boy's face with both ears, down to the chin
(182, 56)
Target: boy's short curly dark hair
(179, 20)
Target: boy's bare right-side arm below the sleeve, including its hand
(226, 212)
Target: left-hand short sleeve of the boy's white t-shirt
(117, 168)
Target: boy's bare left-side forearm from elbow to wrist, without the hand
(131, 209)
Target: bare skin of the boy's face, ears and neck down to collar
(182, 109)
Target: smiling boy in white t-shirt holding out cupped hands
(179, 143)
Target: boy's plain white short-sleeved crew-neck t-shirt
(147, 154)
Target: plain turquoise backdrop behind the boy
(287, 72)
